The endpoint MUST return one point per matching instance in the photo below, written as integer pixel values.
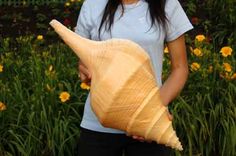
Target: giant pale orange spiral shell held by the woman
(124, 93)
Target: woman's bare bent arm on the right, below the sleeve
(179, 70)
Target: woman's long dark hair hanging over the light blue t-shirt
(156, 10)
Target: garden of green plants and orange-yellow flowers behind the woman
(41, 97)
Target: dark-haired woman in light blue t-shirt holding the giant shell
(150, 23)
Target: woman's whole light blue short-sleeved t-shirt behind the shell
(133, 25)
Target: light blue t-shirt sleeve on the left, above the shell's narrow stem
(84, 22)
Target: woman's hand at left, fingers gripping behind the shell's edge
(84, 74)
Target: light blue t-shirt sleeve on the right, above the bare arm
(178, 22)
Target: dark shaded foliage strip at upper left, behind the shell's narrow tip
(27, 19)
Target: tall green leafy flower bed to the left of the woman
(36, 122)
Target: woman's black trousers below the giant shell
(93, 143)
